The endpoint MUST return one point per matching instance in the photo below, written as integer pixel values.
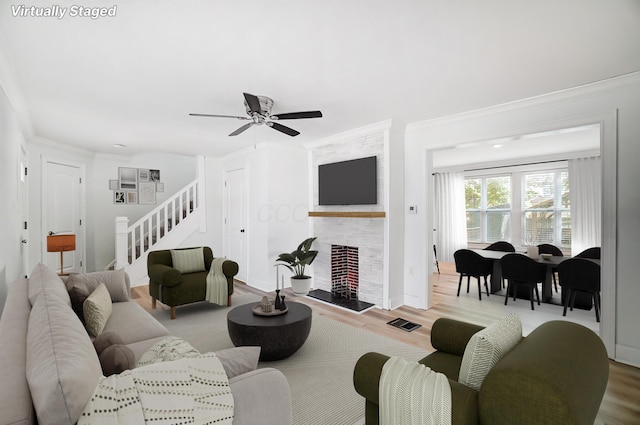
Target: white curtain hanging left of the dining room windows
(451, 225)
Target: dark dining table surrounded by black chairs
(551, 262)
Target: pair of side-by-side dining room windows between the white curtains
(527, 207)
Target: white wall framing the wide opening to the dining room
(615, 104)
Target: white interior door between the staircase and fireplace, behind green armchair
(236, 220)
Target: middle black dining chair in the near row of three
(518, 269)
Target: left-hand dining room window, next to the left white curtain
(488, 204)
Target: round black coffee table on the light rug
(279, 336)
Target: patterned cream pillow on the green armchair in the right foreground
(487, 347)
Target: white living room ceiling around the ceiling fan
(133, 78)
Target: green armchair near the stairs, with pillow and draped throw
(170, 287)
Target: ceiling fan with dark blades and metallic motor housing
(259, 113)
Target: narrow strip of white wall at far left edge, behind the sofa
(11, 141)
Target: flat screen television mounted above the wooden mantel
(353, 182)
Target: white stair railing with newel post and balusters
(136, 240)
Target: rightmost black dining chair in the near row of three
(580, 275)
